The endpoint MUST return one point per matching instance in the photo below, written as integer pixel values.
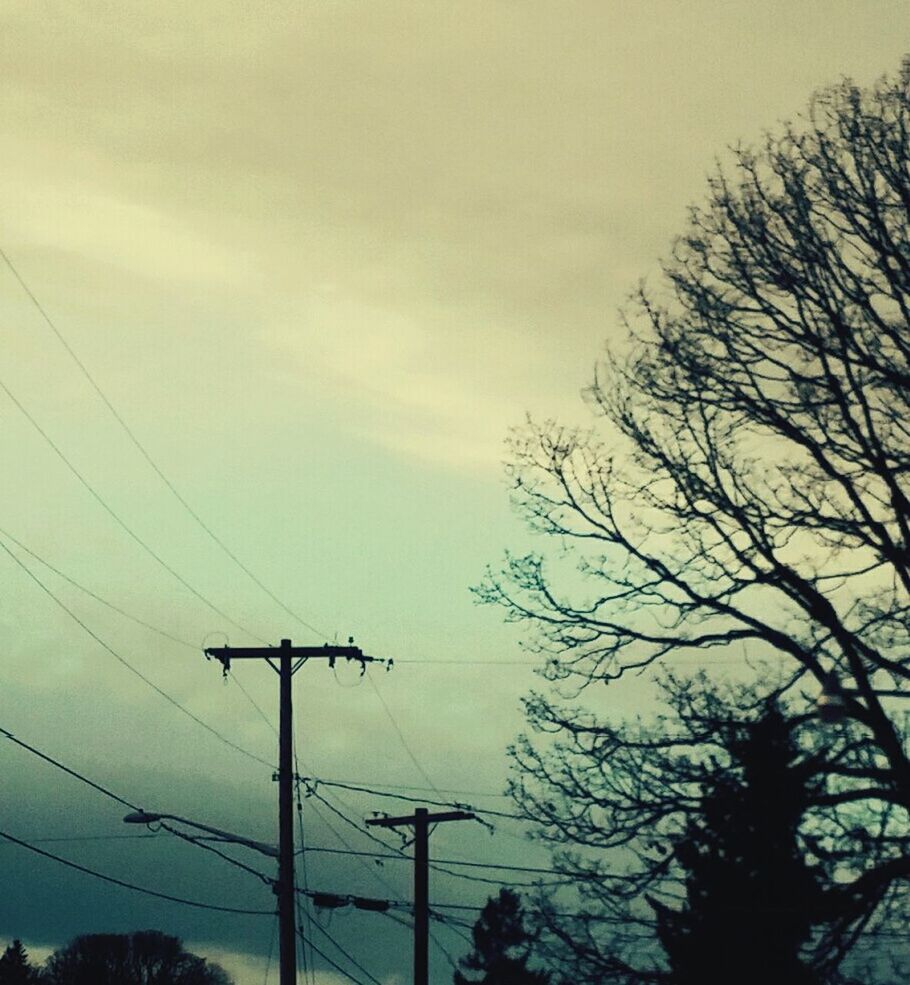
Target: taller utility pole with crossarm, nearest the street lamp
(289, 660)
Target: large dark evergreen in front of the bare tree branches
(751, 898)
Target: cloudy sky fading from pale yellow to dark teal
(320, 258)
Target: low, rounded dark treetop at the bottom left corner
(145, 957)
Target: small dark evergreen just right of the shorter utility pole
(502, 946)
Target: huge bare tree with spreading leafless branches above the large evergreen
(751, 485)
